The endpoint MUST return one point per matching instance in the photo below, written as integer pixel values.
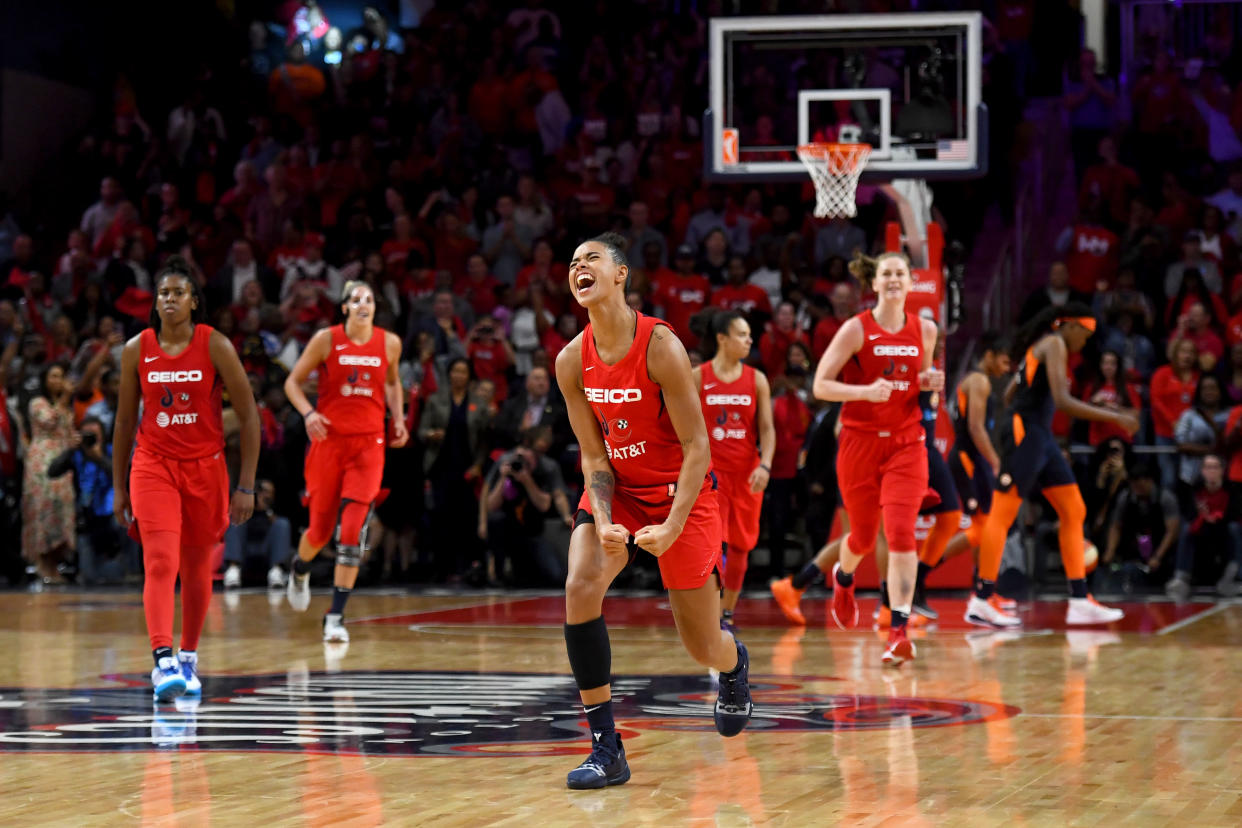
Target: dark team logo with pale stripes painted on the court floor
(432, 714)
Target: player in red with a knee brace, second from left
(358, 382)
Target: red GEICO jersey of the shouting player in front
(629, 405)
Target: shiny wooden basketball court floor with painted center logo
(459, 711)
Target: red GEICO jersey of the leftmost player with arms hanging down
(182, 399)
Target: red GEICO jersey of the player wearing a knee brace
(352, 384)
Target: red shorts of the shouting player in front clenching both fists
(690, 562)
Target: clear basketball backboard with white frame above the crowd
(911, 81)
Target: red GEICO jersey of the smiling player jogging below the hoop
(897, 358)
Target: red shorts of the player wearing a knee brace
(348, 467)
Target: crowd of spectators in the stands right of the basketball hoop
(1154, 250)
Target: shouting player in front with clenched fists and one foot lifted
(632, 399)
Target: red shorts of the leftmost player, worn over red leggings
(187, 497)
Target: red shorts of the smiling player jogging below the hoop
(882, 475)
